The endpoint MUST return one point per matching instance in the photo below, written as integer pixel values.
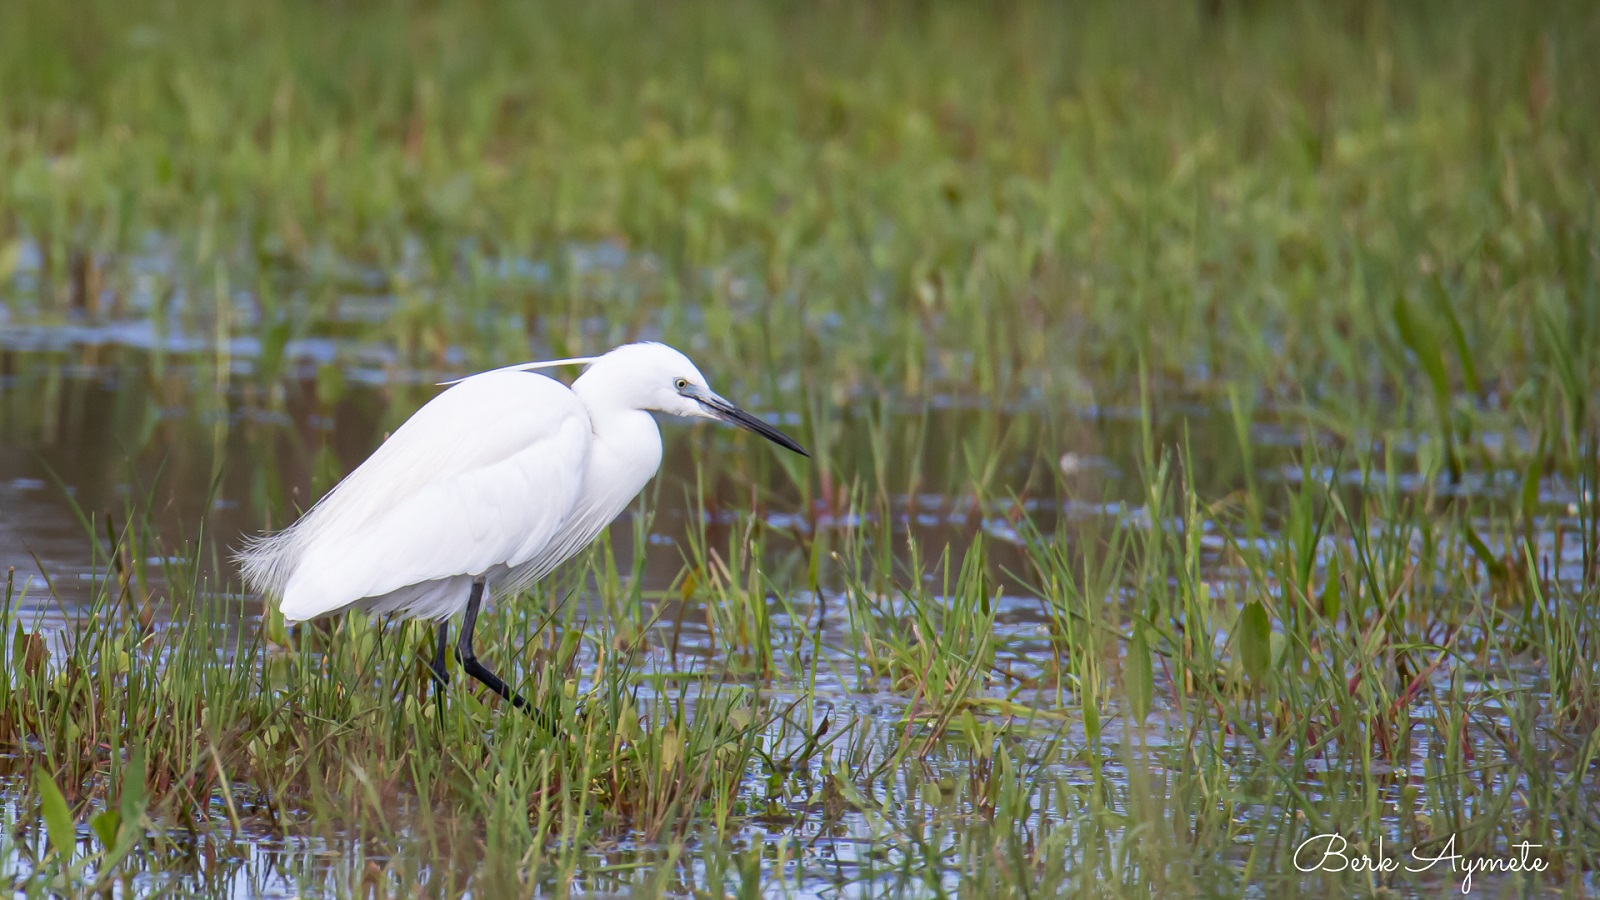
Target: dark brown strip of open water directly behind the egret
(97, 428)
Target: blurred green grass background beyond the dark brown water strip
(1007, 203)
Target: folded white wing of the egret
(479, 478)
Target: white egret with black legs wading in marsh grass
(486, 491)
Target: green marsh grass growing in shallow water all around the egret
(1306, 292)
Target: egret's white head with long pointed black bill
(658, 379)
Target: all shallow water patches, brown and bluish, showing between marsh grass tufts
(126, 417)
